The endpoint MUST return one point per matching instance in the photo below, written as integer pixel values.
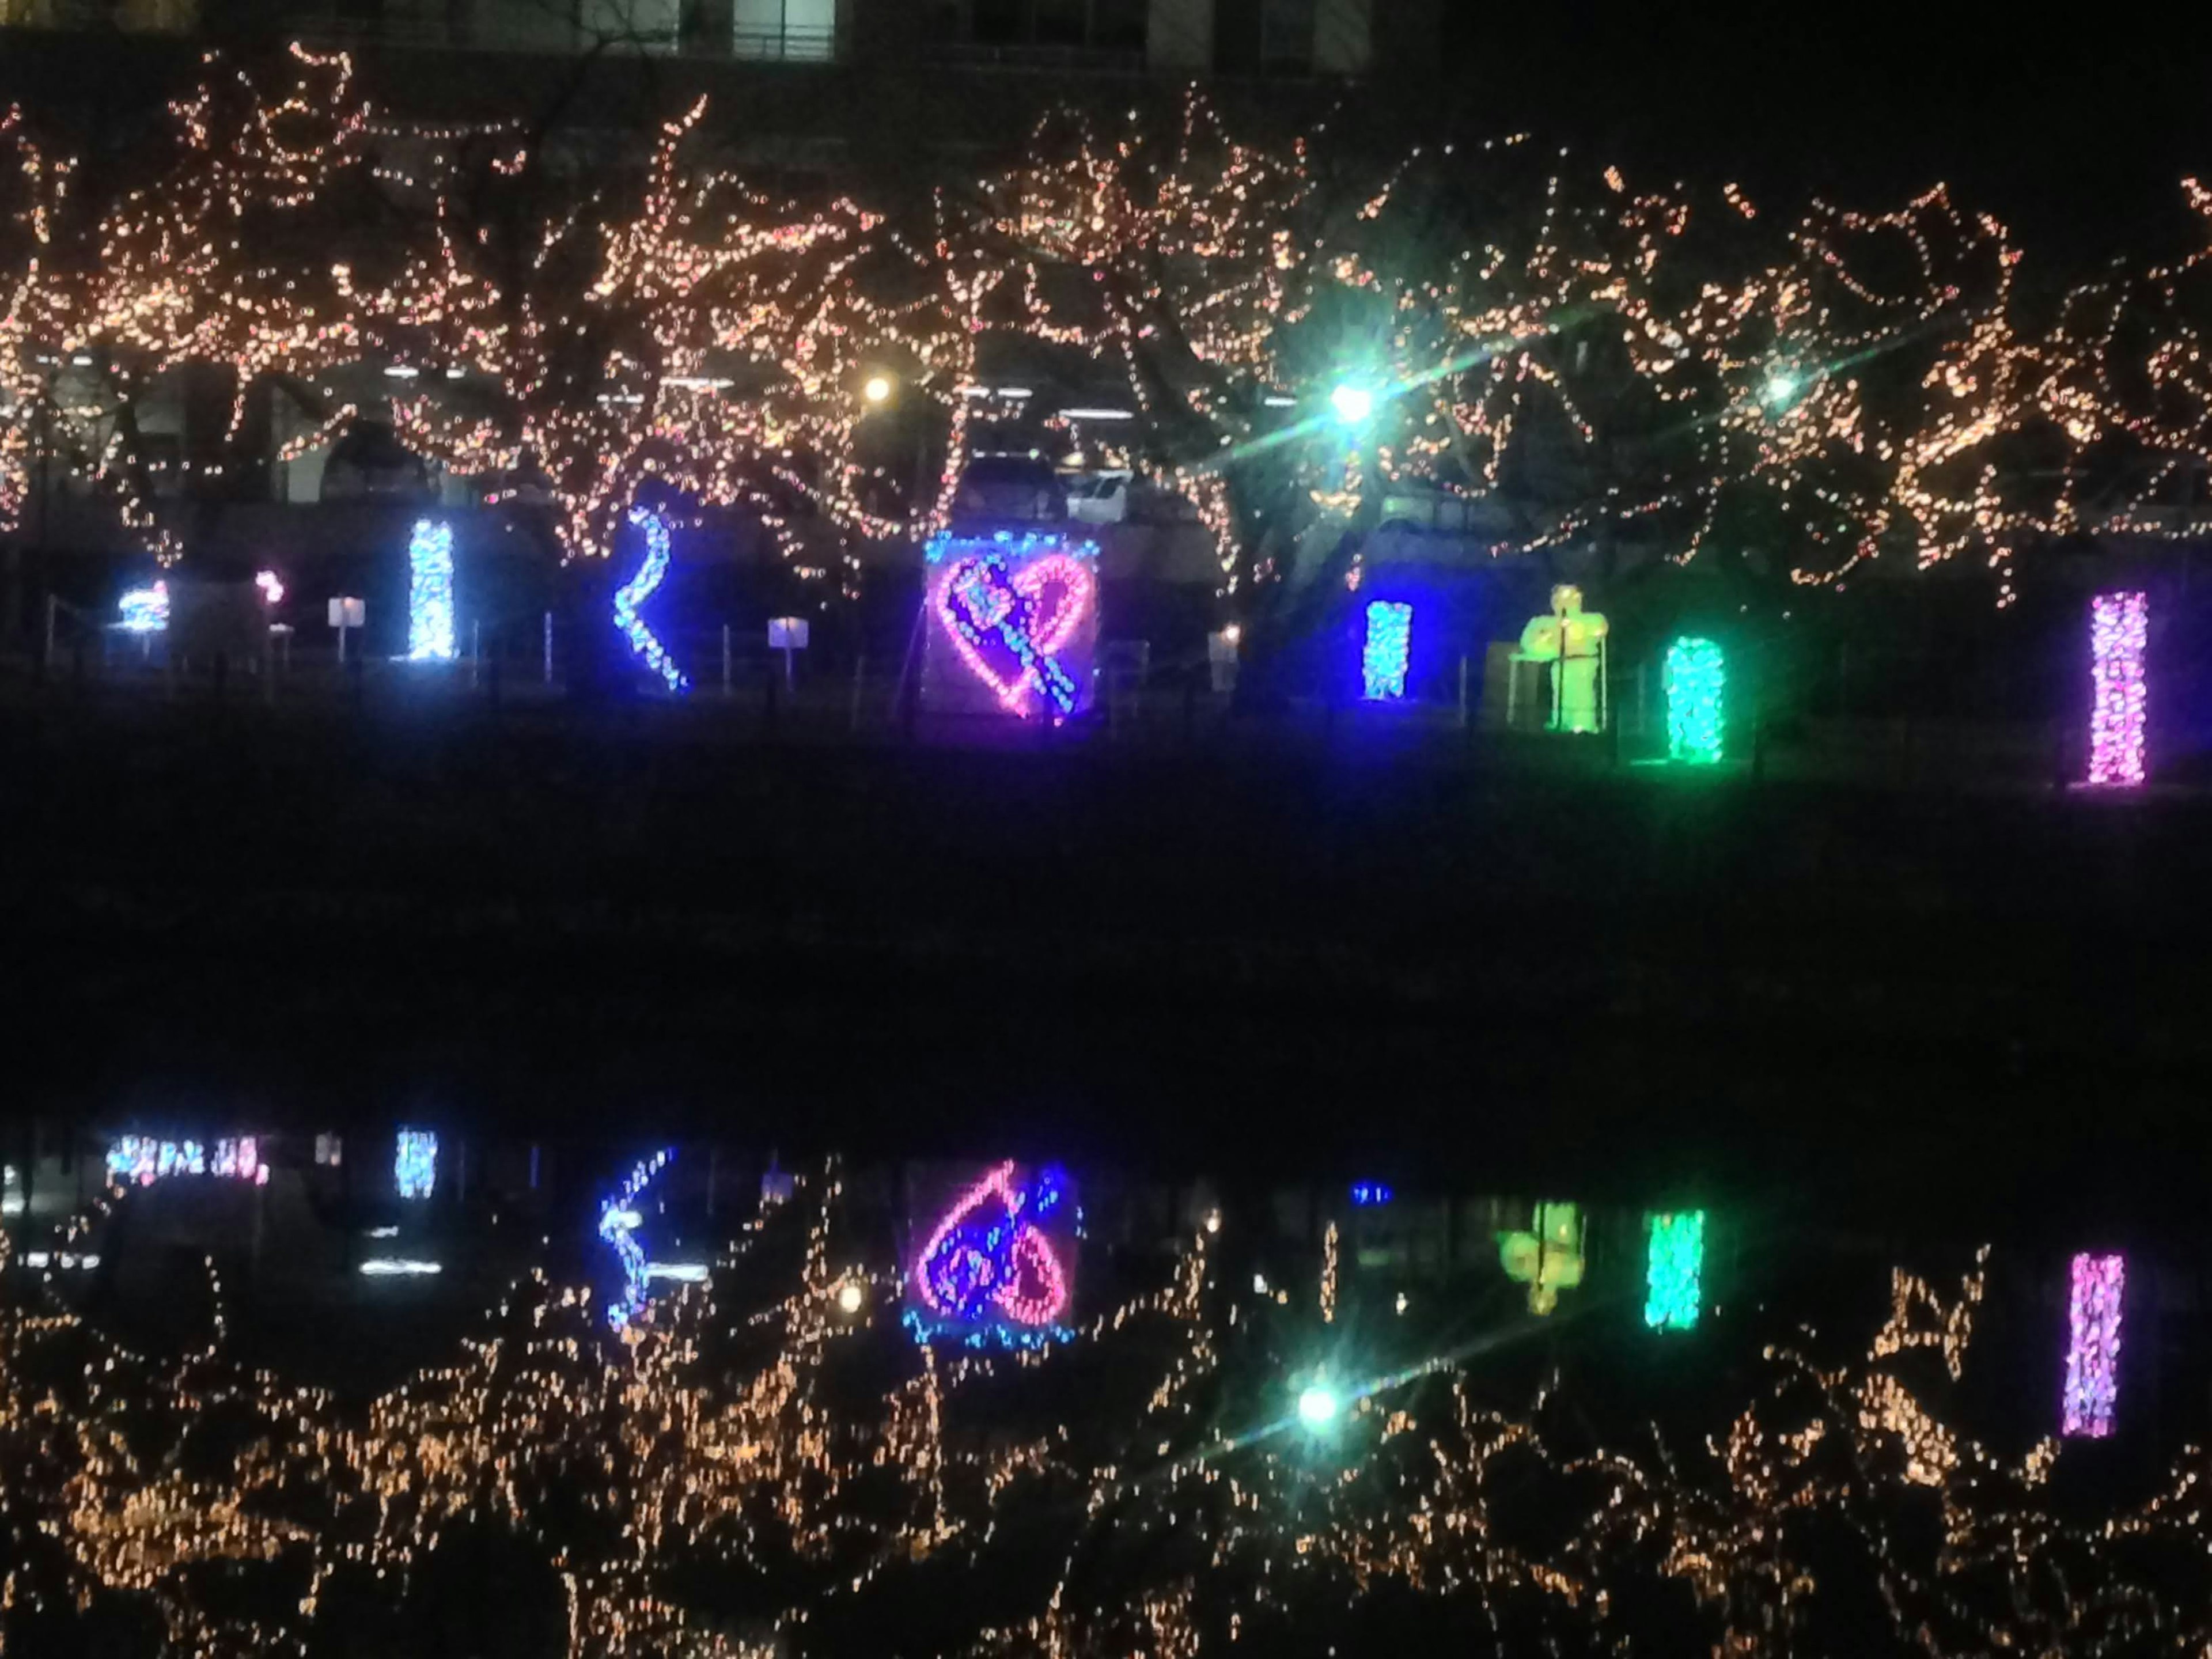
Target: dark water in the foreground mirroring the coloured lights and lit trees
(693, 1404)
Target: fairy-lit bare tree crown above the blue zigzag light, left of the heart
(700, 337)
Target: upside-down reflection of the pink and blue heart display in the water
(992, 1260)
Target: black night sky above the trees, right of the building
(2074, 129)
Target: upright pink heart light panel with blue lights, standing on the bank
(1016, 612)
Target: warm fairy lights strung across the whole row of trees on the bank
(1580, 359)
